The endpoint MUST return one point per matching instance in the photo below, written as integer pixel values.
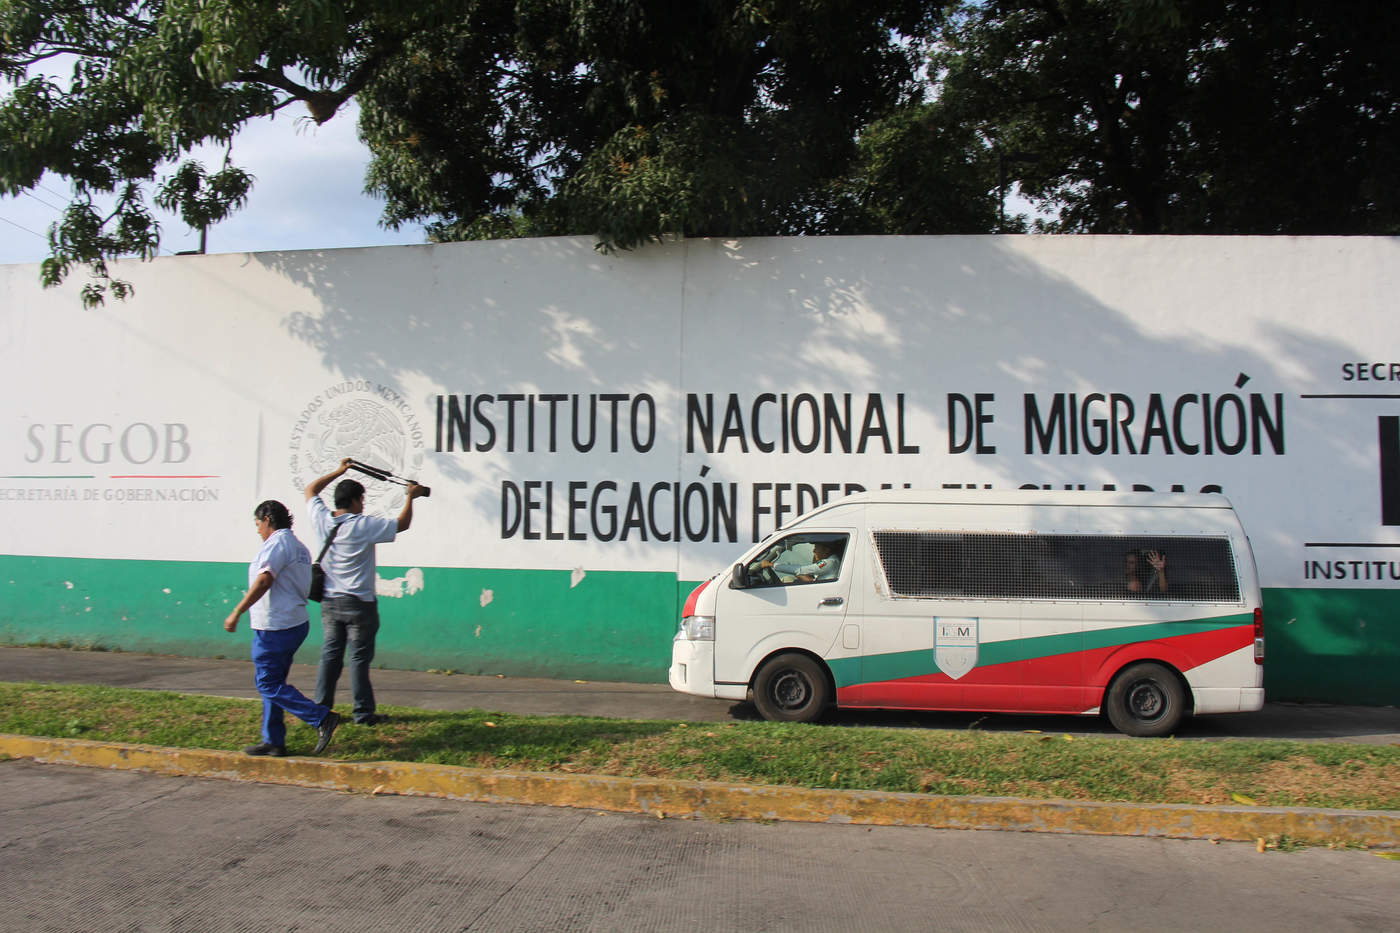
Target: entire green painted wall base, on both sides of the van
(1340, 647)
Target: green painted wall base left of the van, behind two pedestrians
(615, 627)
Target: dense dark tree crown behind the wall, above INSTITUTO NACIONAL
(633, 120)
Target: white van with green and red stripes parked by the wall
(1142, 606)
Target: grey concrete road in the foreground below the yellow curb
(121, 851)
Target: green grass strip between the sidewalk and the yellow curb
(1275, 773)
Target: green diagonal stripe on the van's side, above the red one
(895, 666)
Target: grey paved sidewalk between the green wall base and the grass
(1319, 722)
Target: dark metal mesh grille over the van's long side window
(1027, 567)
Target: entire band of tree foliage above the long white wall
(633, 120)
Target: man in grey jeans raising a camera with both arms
(349, 609)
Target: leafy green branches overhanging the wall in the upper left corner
(145, 82)
